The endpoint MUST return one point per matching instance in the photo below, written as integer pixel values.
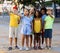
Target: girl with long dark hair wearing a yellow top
(37, 27)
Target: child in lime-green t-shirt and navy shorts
(48, 28)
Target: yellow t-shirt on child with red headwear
(14, 20)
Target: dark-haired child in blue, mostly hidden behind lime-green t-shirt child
(43, 12)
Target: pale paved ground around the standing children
(4, 41)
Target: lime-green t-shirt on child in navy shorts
(48, 22)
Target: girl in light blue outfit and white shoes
(26, 29)
